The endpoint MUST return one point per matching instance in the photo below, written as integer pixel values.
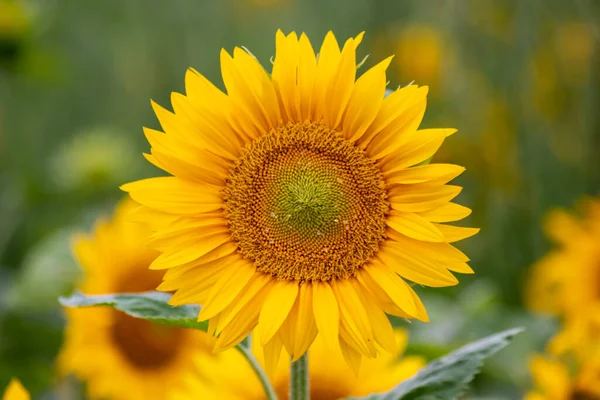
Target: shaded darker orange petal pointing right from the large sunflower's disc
(419, 198)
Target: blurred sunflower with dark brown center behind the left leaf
(120, 357)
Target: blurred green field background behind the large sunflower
(519, 79)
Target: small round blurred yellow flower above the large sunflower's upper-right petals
(419, 54)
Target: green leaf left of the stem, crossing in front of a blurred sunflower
(151, 306)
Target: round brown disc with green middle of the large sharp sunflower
(305, 204)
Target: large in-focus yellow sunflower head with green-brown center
(297, 204)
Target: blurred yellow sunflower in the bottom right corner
(555, 380)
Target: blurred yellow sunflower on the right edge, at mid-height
(567, 279)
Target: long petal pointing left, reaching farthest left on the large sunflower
(173, 195)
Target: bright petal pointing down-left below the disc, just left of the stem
(277, 306)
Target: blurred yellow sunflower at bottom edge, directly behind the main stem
(330, 377)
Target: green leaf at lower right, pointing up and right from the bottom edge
(448, 377)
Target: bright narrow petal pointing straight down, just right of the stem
(327, 313)
